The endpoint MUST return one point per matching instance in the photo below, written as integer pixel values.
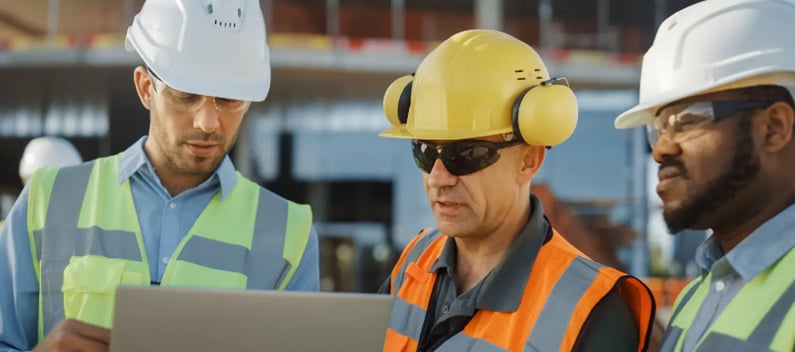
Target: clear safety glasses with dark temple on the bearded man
(680, 122)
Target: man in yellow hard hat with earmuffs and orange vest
(494, 275)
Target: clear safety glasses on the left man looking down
(187, 102)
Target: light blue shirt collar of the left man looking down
(134, 160)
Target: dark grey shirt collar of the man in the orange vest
(502, 289)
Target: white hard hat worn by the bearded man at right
(715, 45)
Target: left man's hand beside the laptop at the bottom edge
(73, 335)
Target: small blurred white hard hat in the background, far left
(47, 151)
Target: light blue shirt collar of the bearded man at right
(763, 247)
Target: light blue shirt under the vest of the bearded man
(730, 272)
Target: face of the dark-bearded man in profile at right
(702, 168)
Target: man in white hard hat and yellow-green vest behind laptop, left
(170, 210)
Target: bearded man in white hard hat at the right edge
(716, 95)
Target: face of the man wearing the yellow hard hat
(473, 204)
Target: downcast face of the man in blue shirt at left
(189, 132)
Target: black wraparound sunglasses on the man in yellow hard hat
(460, 158)
